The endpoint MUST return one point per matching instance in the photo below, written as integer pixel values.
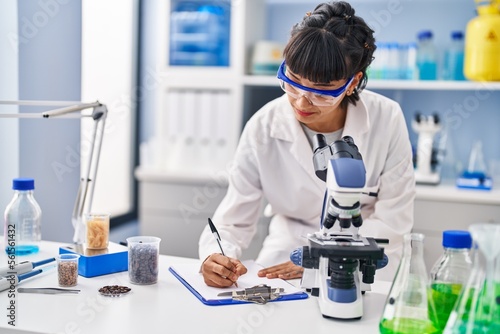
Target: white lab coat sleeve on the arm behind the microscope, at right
(391, 214)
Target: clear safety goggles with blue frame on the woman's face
(318, 97)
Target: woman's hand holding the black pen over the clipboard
(221, 271)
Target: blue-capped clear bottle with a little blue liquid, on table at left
(22, 230)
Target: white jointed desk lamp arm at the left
(87, 182)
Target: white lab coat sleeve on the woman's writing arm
(238, 213)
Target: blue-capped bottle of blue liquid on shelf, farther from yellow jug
(426, 56)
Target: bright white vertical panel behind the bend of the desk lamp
(108, 63)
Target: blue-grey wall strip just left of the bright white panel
(49, 69)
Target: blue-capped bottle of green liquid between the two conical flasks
(450, 273)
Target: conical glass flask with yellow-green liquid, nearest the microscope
(409, 308)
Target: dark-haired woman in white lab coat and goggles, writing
(323, 77)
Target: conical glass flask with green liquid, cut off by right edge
(477, 310)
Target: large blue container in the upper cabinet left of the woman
(199, 33)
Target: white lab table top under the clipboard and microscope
(168, 307)
